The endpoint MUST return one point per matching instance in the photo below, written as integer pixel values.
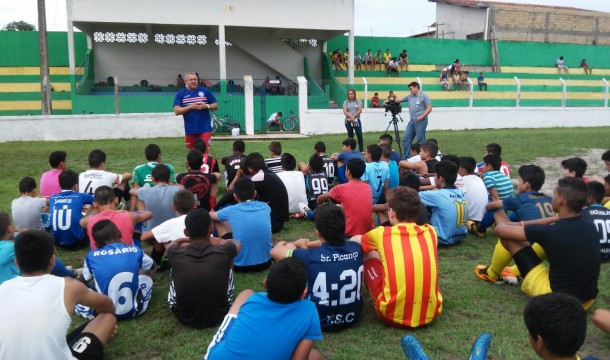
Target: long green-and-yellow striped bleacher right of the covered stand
(539, 86)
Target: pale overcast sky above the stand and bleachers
(372, 17)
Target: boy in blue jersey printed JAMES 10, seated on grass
(66, 210)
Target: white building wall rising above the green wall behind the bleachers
(460, 20)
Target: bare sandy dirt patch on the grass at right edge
(552, 166)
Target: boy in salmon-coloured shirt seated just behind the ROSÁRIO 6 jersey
(104, 209)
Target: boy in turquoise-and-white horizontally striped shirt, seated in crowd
(499, 188)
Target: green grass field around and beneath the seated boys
(470, 306)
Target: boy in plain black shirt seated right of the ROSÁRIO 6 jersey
(201, 292)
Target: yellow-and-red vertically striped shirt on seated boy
(411, 296)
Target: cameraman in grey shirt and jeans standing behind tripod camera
(419, 109)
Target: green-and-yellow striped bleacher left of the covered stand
(20, 90)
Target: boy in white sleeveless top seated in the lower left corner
(36, 308)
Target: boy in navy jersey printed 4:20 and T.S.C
(335, 268)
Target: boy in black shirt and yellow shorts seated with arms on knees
(571, 245)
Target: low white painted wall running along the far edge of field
(142, 126)
